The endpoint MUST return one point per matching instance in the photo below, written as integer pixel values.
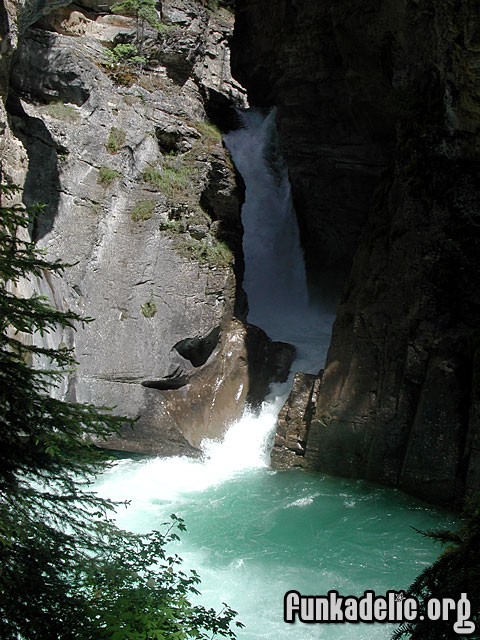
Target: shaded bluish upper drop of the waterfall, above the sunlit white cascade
(275, 278)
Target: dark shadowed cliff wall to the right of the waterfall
(363, 88)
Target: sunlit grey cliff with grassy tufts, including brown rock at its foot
(142, 197)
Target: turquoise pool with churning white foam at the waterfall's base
(254, 534)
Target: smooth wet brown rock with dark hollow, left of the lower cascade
(203, 397)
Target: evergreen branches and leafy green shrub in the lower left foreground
(67, 572)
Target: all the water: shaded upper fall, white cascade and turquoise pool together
(254, 533)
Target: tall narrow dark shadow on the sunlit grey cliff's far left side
(42, 183)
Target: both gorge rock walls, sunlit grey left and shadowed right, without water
(377, 105)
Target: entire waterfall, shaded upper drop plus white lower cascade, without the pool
(276, 285)
